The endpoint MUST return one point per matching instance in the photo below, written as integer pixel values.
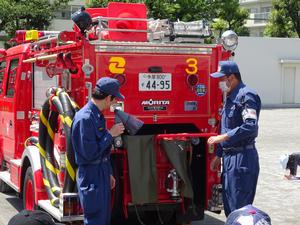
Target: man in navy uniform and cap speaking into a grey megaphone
(92, 144)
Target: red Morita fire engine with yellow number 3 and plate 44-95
(163, 68)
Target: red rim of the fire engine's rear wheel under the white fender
(29, 191)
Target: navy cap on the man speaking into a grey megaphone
(109, 86)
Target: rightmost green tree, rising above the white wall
(285, 19)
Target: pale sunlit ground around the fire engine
(279, 133)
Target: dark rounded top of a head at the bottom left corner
(36, 217)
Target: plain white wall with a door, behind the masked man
(271, 66)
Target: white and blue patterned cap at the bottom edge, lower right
(248, 215)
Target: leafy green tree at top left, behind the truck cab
(23, 14)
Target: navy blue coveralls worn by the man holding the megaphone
(92, 146)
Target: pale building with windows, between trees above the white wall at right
(259, 12)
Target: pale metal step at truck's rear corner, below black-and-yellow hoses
(55, 212)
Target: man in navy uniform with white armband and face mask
(236, 143)
